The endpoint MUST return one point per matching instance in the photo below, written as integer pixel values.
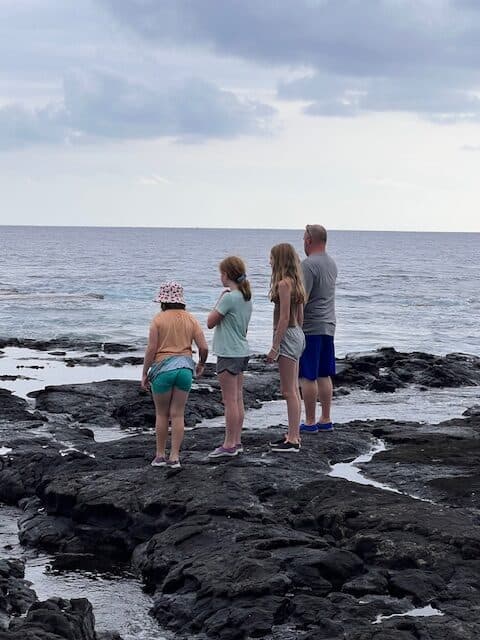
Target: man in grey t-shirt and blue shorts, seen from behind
(317, 363)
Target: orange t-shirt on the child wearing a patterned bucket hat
(176, 329)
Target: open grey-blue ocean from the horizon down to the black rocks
(412, 291)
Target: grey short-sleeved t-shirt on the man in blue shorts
(320, 275)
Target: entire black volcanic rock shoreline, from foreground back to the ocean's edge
(260, 545)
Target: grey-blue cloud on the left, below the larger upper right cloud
(103, 105)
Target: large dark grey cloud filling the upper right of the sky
(418, 56)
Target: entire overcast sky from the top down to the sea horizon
(241, 113)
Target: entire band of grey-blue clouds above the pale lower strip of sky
(144, 69)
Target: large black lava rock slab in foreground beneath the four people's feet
(233, 549)
